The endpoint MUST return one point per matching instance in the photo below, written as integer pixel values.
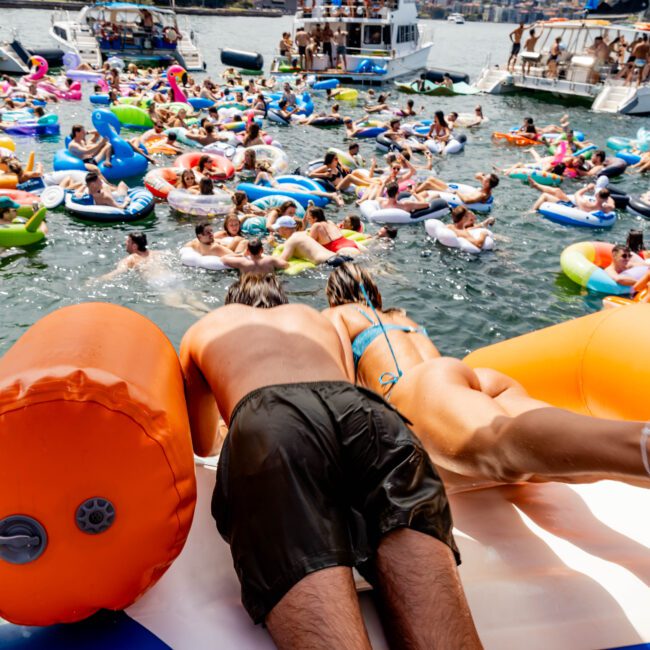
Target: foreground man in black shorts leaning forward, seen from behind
(316, 476)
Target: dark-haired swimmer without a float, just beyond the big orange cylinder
(151, 265)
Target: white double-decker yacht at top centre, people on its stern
(383, 42)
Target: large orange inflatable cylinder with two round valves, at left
(97, 487)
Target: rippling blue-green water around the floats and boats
(465, 302)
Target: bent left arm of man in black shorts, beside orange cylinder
(201, 405)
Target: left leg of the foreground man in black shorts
(320, 612)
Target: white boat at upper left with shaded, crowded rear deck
(139, 33)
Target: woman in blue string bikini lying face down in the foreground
(479, 426)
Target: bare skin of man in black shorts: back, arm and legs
(321, 611)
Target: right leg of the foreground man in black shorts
(421, 592)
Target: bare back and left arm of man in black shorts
(234, 350)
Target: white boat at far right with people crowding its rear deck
(582, 72)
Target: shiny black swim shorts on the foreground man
(312, 476)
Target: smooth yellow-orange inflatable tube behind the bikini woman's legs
(595, 365)
